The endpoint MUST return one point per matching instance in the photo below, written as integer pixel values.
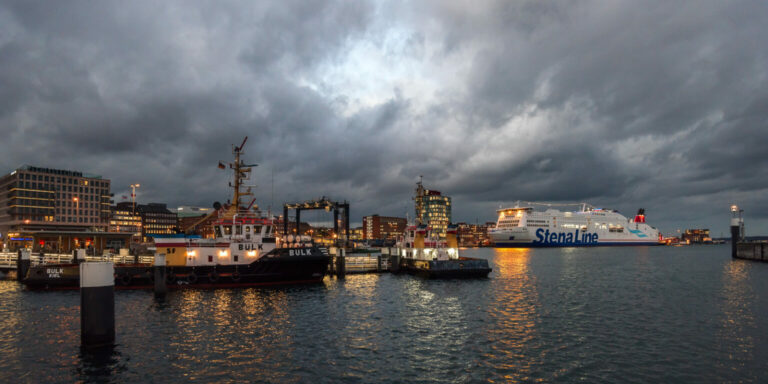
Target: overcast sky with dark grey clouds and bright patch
(624, 104)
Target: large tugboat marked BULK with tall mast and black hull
(244, 252)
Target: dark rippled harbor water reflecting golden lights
(641, 314)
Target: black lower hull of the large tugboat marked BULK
(274, 269)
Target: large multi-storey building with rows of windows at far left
(35, 198)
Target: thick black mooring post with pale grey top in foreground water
(97, 304)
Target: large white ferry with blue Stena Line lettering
(524, 227)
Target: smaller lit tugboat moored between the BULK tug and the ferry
(423, 252)
